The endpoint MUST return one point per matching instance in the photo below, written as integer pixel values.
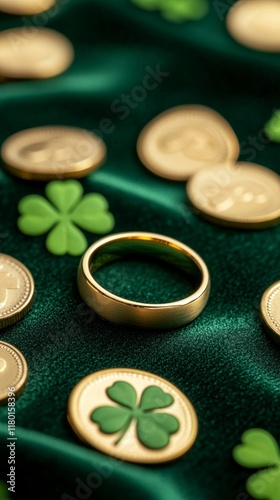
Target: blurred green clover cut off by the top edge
(176, 10)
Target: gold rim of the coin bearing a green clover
(78, 427)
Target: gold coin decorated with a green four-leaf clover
(132, 415)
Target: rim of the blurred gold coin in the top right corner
(242, 37)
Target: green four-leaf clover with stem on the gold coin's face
(153, 429)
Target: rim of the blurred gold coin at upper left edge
(32, 71)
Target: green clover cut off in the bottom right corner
(260, 450)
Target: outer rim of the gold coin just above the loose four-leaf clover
(17, 170)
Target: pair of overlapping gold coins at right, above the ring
(195, 143)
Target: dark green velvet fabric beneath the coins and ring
(222, 361)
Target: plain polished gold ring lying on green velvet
(128, 313)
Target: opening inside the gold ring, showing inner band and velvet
(149, 271)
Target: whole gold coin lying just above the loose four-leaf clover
(45, 153)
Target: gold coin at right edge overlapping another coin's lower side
(244, 195)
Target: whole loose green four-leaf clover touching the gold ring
(69, 209)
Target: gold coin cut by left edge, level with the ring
(16, 290)
